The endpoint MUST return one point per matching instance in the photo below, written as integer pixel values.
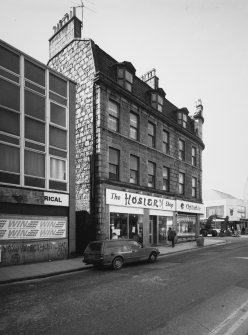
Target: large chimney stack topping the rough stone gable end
(67, 29)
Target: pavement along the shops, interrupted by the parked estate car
(17, 273)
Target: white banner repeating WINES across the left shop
(15, 229)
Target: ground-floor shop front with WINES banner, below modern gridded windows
(34, 229)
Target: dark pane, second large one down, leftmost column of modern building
(9, 95)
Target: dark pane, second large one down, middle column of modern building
(34, 105)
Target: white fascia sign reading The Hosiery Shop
(127, 199)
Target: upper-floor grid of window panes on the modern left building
(30, 129)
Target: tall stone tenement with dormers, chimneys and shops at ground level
(138, 156)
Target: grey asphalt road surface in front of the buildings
(204, 291)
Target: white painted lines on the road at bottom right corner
(229, 319)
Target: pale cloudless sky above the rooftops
(199, 50)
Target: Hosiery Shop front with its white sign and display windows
(141, 217)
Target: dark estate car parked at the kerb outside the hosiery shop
(115, 253)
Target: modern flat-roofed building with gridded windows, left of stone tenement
(37, 160)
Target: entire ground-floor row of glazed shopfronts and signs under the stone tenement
(148, 218)
